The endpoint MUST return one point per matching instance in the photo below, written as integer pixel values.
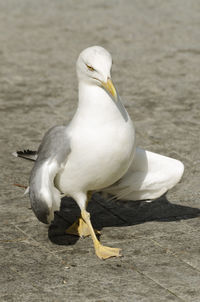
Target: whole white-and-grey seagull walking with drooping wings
(96, 152)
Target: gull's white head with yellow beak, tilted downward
(94, 67)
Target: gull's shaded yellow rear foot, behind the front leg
(80, 228)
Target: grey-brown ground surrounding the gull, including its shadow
(156, 51)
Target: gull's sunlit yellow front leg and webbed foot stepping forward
(103, 252)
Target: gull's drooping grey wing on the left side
(52, 156)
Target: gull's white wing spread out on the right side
(149, 176)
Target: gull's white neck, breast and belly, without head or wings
(102, 144)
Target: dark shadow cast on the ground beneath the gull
(118, 213)
